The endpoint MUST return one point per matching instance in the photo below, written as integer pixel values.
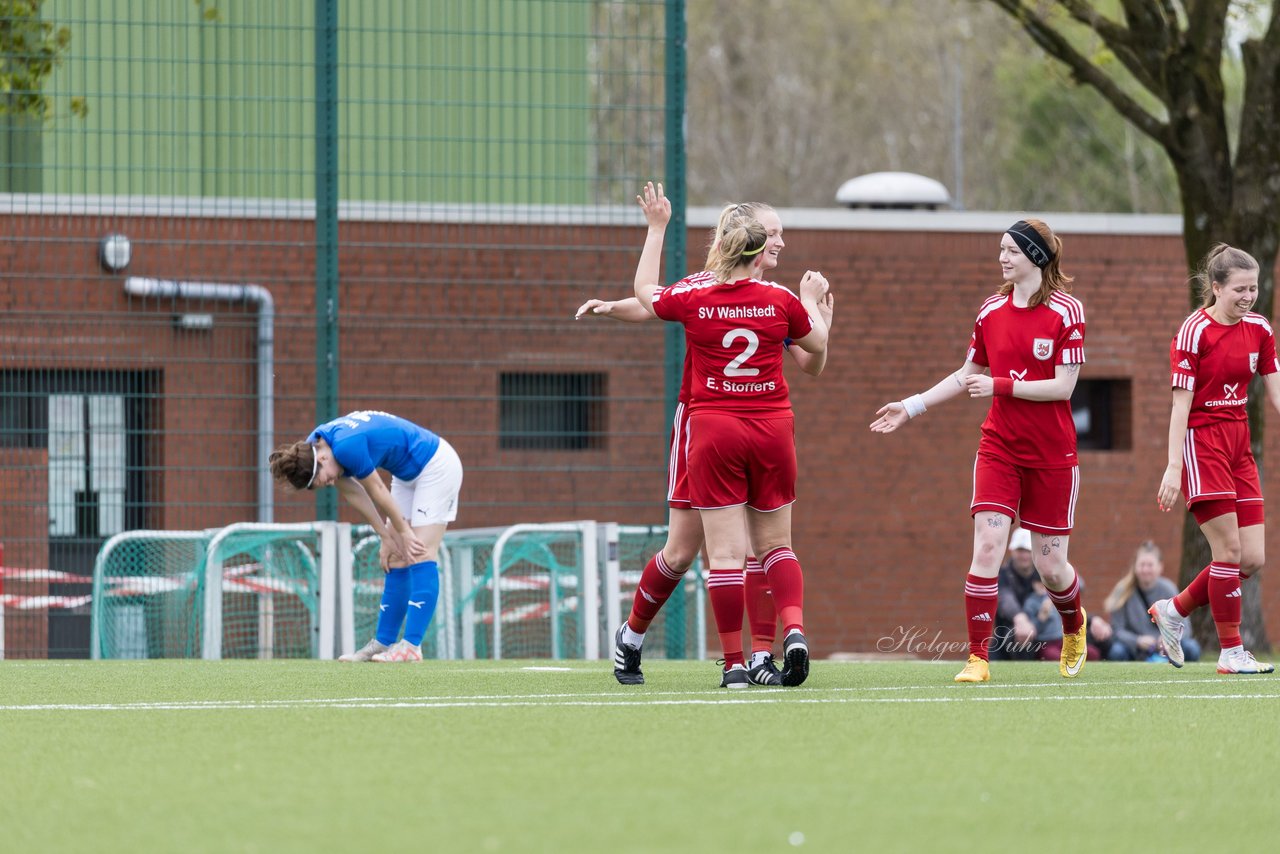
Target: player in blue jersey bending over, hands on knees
(410, 518)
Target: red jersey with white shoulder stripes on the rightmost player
(1217, 362)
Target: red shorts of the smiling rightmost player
(1218, 464)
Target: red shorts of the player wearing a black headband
(1044, 500)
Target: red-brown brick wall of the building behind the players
(432, 314)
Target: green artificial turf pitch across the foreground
(523, 756)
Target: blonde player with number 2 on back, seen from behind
(742, 446)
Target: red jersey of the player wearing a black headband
(1030, 345)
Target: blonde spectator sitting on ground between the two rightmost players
(1136, 637)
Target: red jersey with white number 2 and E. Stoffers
(735, 332)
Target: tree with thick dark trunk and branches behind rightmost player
(1160, 65)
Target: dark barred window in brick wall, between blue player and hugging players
(551, 412)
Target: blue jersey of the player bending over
(371, 440)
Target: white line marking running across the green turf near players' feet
(811, 697)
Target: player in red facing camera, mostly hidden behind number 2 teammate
(666, 569)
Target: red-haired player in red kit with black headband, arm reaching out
(1031, 335)
